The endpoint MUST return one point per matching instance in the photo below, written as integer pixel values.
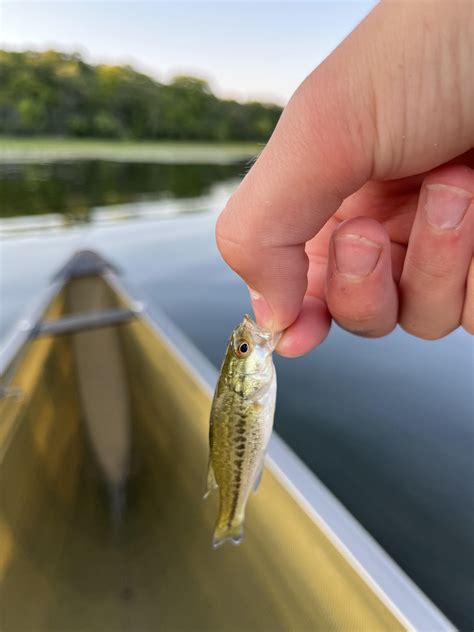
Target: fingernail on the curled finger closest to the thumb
(356, 256)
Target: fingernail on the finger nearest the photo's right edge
(446, 205)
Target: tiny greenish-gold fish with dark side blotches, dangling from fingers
(241, 424)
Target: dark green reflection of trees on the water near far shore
(72, 189)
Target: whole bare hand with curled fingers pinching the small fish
(360, 207)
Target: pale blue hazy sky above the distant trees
(260, 49)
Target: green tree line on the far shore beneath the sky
(54, 93)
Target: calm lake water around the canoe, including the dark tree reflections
(386, 424)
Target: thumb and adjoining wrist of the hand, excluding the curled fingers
(372, 110)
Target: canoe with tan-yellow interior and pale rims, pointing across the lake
(103, 451)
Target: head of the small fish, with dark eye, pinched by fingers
(250, 352)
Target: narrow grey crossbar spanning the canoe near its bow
(84, 321)
